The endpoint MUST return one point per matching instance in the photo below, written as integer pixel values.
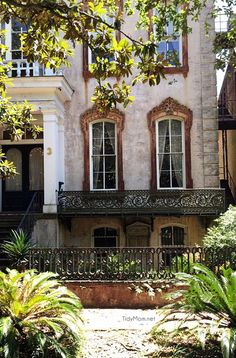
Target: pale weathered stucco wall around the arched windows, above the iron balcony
(197, 91)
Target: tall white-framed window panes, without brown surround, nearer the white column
(103, 157)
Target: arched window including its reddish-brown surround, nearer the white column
(103, 160)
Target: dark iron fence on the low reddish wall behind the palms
(127, 263)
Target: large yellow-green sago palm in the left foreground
(38, 317)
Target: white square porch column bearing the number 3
(51, 161)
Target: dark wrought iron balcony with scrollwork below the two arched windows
(142, 202)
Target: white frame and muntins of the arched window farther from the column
(157, 153)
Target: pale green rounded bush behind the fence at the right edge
(223, 233)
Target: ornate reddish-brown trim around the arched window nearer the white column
(90, 116)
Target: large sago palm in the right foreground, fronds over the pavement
(213, 301)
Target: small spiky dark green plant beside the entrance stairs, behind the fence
(17, 248)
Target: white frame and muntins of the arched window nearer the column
(91, 155)
